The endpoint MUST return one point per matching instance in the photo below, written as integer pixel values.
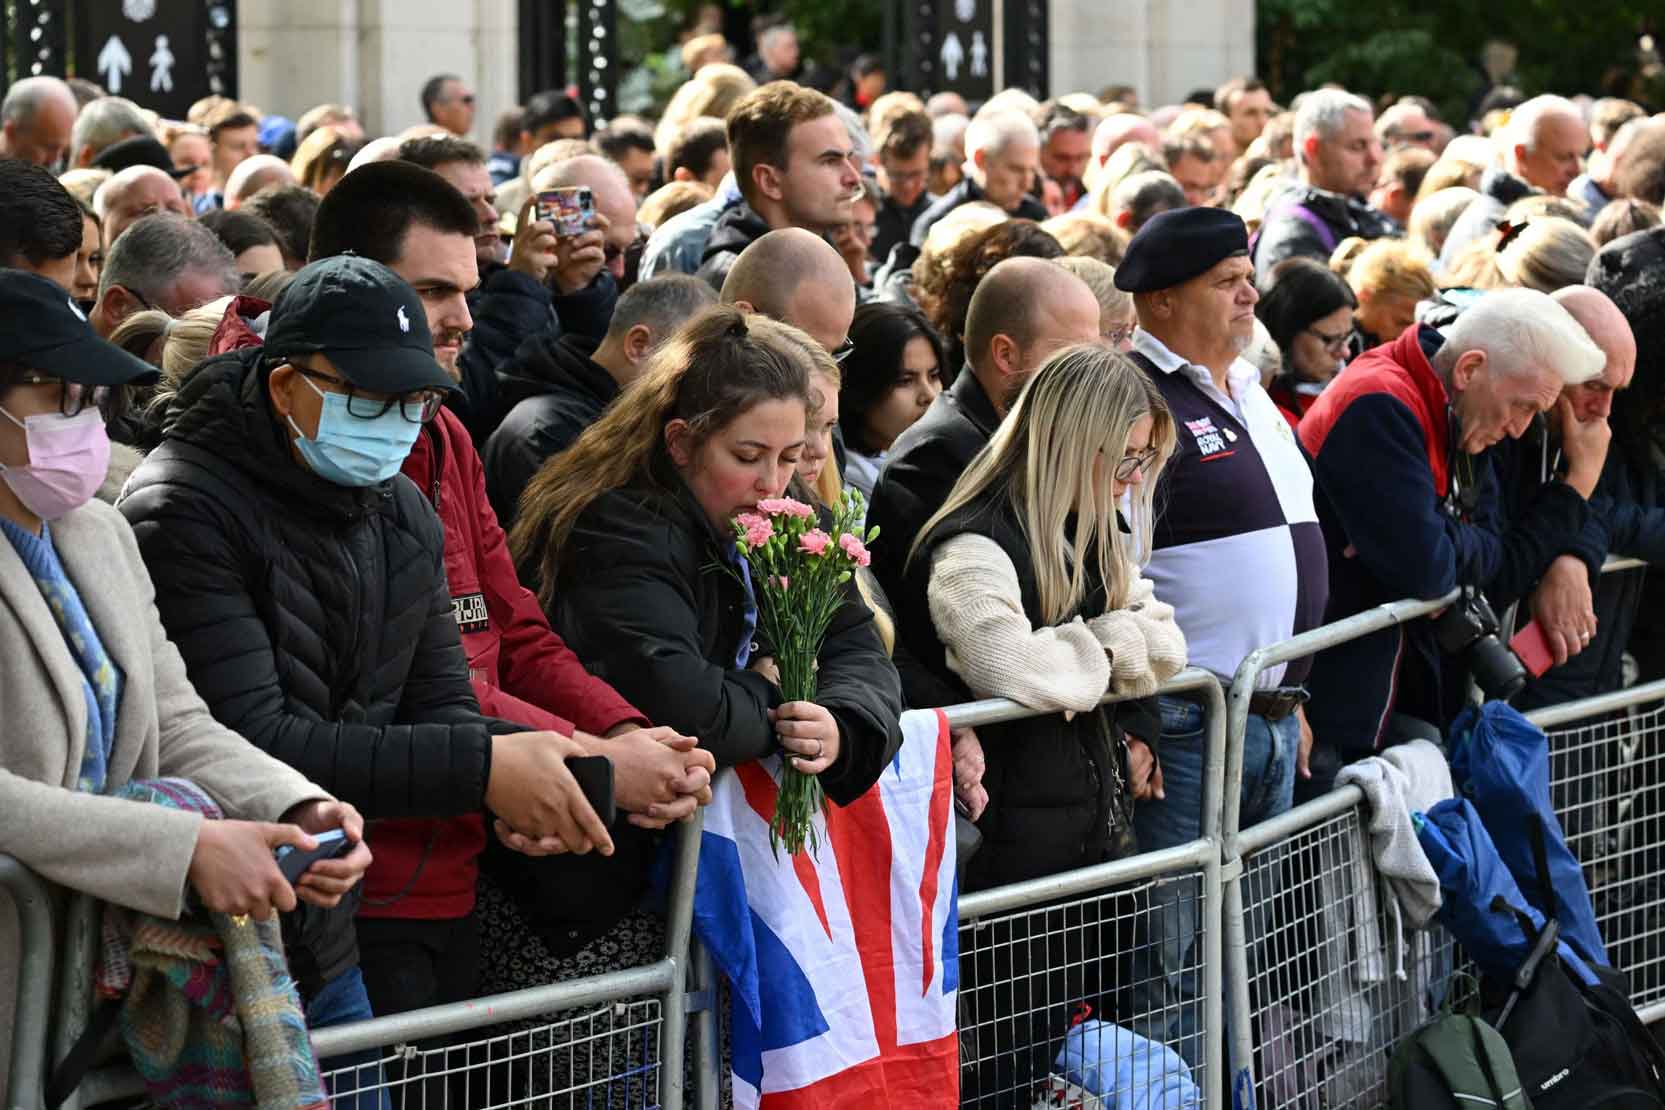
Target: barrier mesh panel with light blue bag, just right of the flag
(1133, 954)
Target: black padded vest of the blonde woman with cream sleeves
(1055, 788)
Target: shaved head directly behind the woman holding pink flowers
(795, 277)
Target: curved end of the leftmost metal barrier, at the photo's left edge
(32, 1003)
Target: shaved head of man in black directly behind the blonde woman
(1023, 312)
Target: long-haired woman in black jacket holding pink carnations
(632, 535)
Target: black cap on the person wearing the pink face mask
(51, 334)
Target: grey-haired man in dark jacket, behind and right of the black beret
(1339, 157)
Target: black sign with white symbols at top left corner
(159, 54)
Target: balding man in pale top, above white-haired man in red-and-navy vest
(1543, 152)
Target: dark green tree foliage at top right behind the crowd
(1433, 47)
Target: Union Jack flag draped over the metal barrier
(845, 966)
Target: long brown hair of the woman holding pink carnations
(715, 369)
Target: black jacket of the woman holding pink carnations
(647, 607)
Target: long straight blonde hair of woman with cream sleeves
(1080, 409)
